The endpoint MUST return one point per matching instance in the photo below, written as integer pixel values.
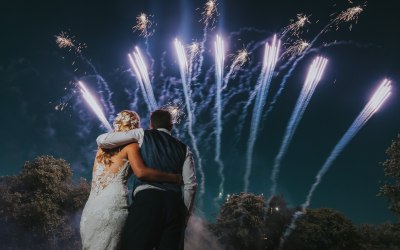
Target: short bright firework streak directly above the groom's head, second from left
(143, 78)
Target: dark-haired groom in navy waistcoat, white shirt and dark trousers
(158, 215)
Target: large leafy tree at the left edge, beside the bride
(41, 206)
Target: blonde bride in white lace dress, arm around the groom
(106, 210)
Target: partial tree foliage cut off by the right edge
(391, 168)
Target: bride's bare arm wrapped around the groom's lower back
(143, 172)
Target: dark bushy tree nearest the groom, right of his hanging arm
(240, 224)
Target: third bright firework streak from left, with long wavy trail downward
(183, 68)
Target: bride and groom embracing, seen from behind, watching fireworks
(160, 207)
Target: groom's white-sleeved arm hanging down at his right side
(189, 181)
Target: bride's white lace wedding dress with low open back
(106, 210)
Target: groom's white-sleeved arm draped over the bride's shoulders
(115, 139)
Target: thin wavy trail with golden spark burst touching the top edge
(209, 11)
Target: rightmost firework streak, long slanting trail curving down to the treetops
(376, 101)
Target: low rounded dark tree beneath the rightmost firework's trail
(323, 228)
